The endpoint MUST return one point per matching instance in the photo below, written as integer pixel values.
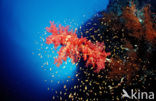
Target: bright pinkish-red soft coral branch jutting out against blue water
(76, 48)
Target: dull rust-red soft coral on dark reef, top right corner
(139, 30)
